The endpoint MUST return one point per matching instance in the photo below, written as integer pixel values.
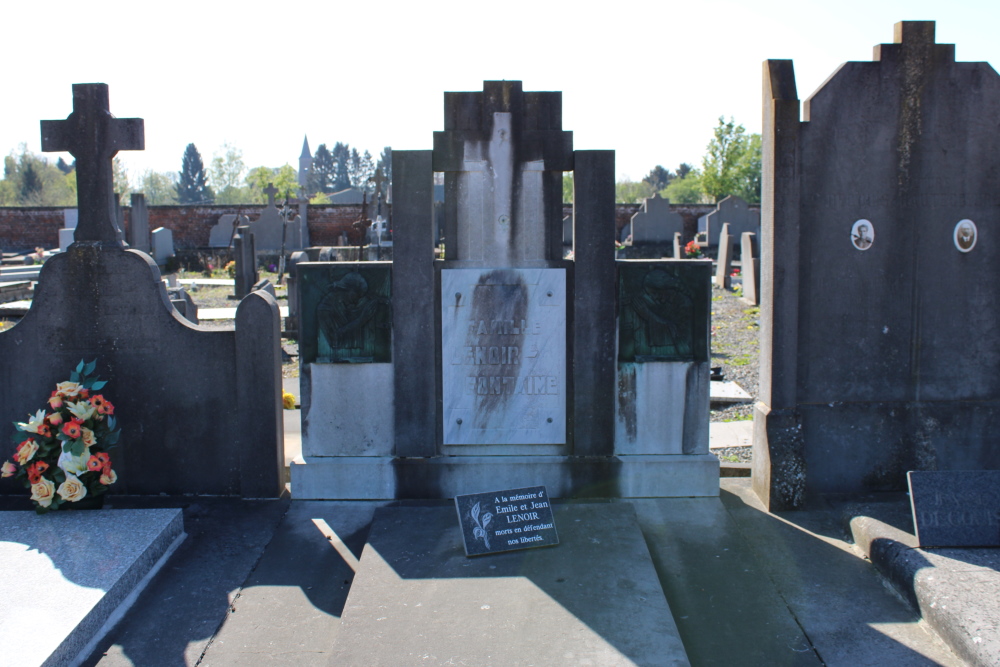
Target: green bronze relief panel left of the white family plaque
(345, 312)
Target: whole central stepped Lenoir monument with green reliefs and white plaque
(503, 369)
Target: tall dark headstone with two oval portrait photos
(879, 351)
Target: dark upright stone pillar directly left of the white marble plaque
(414, 342)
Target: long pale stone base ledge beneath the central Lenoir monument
(385, 478)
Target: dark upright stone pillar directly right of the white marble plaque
(594, 298)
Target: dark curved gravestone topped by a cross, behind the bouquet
(200, 410)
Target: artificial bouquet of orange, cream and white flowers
(61, 455)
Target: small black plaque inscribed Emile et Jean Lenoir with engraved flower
(506, 520)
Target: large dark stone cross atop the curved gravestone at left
(93, 136)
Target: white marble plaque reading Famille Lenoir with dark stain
(503, 356)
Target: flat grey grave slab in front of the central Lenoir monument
(417, 599)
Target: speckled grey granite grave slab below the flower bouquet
(71, 575)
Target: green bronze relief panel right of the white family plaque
(663, 310)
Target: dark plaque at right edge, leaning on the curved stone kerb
(956, 508)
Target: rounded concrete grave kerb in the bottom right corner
(957, 591)
